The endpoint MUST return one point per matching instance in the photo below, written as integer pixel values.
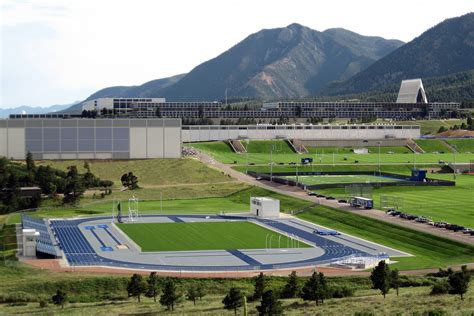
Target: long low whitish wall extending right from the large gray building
(304, 132)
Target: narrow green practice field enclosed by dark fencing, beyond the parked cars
(330, 179)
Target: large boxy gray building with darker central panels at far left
(91, 138)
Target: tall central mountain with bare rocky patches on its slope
(294, 61)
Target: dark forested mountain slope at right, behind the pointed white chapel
(444, 49)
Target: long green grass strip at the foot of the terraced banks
(222, 152)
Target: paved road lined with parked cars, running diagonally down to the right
(298, 193)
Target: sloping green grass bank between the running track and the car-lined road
(428, 250)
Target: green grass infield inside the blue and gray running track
(202, 236)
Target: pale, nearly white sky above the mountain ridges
(57, 52)
